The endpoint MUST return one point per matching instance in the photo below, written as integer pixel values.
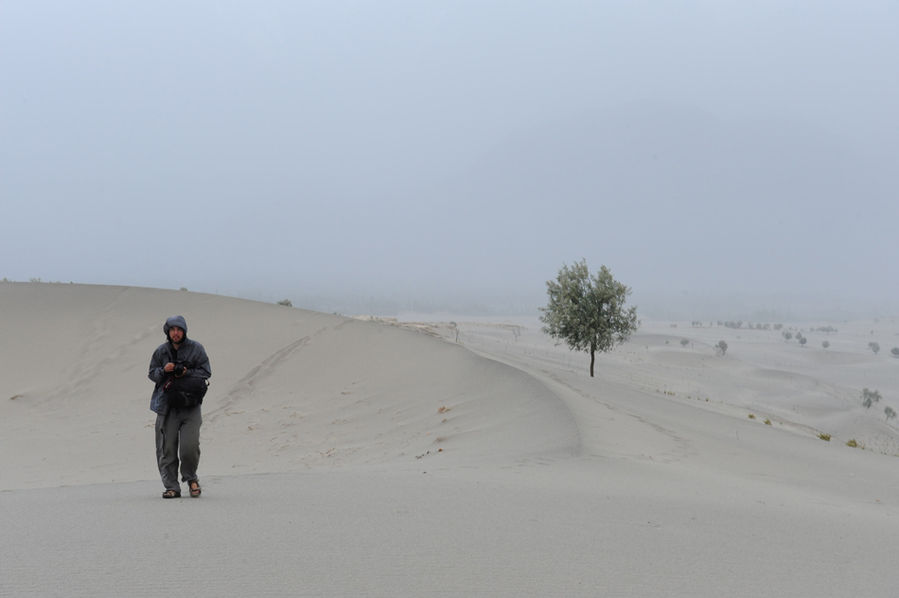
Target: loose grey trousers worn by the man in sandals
(178, 434)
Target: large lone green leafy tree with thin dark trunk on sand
(588, 313)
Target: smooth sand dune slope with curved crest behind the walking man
(290, 388)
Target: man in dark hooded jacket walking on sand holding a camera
(180, 368)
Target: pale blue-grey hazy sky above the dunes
(353, 155)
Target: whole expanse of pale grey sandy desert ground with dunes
(344, 457)
